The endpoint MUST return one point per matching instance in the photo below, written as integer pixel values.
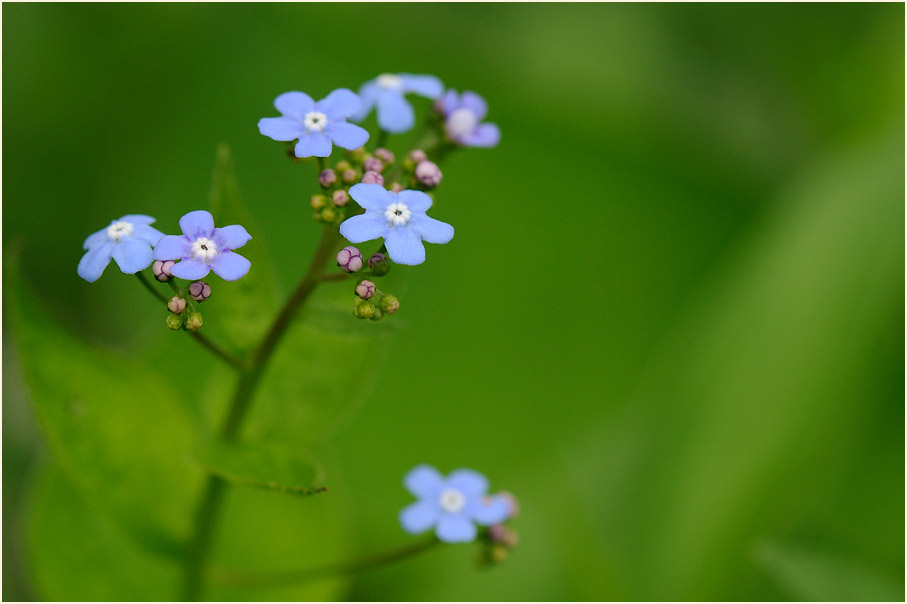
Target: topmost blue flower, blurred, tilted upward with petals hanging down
(386, 91)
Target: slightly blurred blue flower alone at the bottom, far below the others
(452, 505)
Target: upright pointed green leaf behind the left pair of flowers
(241, 310)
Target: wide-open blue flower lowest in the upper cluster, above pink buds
(397, 217)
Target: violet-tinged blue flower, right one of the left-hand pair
(202, 248)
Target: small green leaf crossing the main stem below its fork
(265, 467)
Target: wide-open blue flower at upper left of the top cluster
(316, 125)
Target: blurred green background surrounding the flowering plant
(671, 321)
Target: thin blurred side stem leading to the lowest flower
(295, 577)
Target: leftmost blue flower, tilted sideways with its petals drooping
(127, 240)
